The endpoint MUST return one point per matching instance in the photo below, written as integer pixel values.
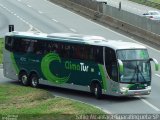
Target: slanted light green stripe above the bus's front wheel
(103, 76)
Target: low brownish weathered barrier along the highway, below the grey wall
(106, 19)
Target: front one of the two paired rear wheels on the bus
(34, 79)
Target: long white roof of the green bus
(79, 38)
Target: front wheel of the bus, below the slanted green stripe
(97, 91)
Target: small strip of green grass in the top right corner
(150, 3)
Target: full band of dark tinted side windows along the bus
(65, 50)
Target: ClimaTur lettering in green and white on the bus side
(76, 67)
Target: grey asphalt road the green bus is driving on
(47, 17)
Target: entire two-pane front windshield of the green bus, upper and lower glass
(136, 66)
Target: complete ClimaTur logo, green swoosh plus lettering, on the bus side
(68, 65)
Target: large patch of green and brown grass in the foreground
(28, 103)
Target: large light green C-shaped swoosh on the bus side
(45, 63)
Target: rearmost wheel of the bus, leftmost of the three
(23, 77)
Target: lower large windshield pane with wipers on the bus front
(136, 72)
